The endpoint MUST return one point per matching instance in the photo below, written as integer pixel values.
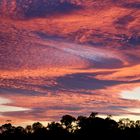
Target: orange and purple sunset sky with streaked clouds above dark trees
(69, 57)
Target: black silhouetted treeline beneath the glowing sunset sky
(71, 128)
